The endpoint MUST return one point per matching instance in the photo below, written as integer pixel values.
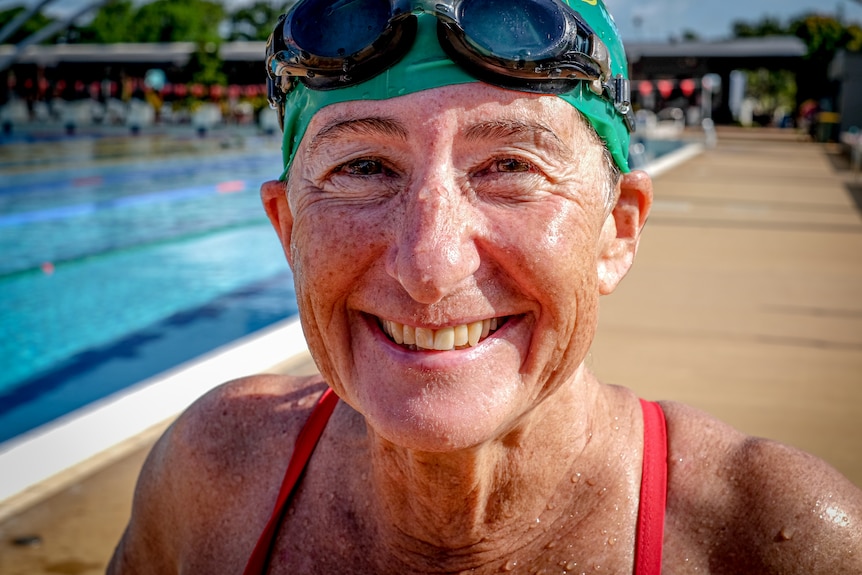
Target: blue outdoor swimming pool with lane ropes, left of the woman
(123, 258)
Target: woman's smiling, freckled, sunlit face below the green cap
(448, 248)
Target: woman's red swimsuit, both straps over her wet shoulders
(650, 524)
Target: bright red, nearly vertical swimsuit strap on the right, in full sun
(650, 526)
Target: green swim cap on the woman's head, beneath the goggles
(427, 66)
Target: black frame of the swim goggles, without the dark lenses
(581, 56)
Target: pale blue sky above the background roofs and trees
(642, 20)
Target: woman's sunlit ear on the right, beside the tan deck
(621, 231)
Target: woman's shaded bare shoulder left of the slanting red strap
(208, 484)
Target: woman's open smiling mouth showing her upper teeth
(445, 339)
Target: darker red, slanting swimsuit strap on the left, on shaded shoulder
(306, 441)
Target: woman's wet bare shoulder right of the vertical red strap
(741, 504)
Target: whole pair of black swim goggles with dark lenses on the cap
(540, 46)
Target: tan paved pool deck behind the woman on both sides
(745, 301)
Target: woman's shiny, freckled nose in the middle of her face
(434, 250)
